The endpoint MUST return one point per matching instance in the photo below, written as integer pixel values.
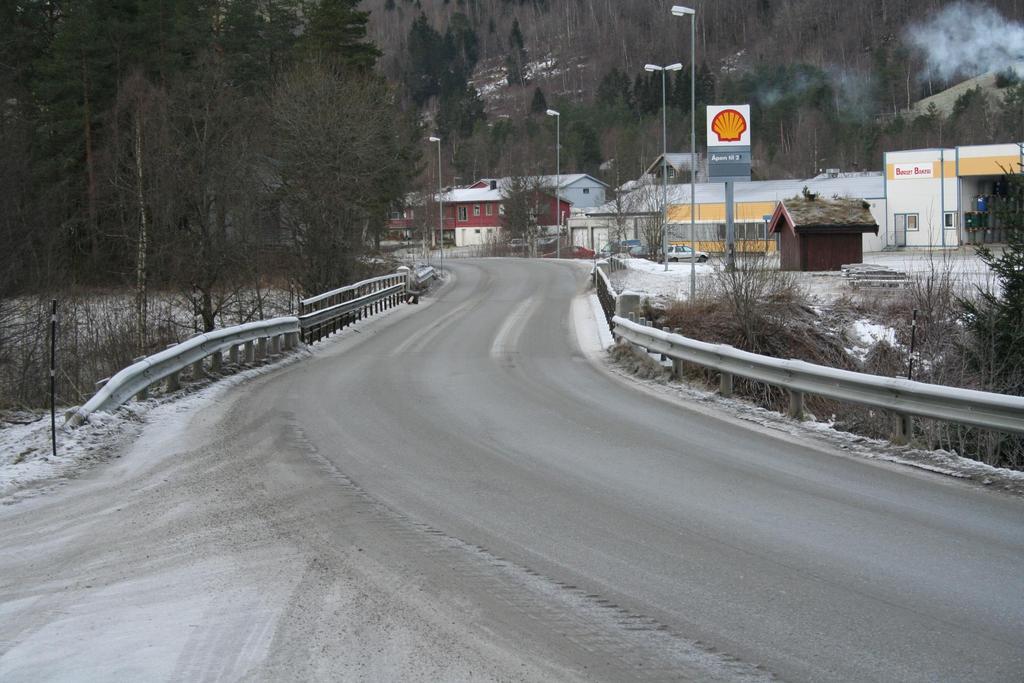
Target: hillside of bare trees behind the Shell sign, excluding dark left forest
(832, 83)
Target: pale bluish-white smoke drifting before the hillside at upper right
(969, 38)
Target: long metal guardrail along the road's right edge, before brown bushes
(905, 398)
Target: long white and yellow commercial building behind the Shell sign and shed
(943, 198)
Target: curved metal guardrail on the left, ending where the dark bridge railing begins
(259, 339)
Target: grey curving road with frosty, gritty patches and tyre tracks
(461, 494)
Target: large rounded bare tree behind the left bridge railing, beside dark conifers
(344, 159)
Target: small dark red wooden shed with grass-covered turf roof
(818, 234)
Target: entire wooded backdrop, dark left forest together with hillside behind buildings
(199, 146)
